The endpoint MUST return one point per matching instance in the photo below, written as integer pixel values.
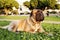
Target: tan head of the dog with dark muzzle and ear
(37, 14)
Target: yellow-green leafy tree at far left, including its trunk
(8, 4)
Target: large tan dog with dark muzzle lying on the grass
(32, 24)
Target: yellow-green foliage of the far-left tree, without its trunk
(8, 4)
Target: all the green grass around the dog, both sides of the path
(52, 28)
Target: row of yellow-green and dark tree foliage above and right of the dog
(41, 4)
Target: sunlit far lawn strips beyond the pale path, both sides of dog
(50, 18)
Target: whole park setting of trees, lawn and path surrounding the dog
(12, 10)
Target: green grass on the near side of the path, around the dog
(53, 28)
